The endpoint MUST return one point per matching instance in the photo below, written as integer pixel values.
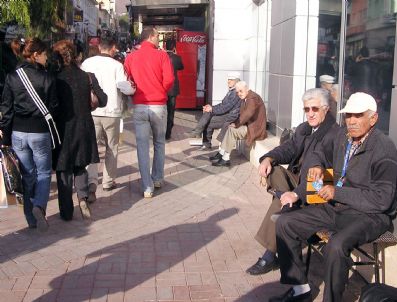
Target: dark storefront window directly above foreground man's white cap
(369, 51)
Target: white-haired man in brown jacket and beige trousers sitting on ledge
(251, 124)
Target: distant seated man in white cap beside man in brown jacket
(220, 115)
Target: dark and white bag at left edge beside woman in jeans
(11, 177)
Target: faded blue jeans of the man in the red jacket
(150, 119)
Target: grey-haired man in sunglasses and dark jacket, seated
(289, 185)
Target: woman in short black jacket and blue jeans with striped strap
(23, 125)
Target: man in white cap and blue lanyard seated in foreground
(359, 205)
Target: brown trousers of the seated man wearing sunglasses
(283, 180)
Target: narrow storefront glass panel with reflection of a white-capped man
(329, 28)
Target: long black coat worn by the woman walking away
(75, 125)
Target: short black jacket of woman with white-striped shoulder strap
(19, 112)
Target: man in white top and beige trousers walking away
(109, 72)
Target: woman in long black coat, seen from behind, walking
(77, 130)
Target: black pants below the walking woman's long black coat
(65, 189)
